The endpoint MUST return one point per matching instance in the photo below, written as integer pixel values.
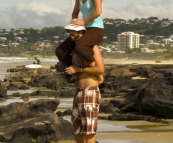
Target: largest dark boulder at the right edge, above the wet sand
(153, 99)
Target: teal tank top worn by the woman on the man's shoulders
(87, 8)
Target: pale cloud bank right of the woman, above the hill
(160, 9)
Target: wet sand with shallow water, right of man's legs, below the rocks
(132, 132)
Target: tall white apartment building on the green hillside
(128, 40)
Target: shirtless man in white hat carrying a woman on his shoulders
(87, 98)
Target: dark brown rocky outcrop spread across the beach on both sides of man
(149, 97)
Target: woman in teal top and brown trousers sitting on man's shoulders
(92, 19)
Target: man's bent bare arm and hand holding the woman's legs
(97, 69)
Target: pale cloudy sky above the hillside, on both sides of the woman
(47, 13)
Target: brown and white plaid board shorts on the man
(85, 111)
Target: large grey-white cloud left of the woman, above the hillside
(33, 15)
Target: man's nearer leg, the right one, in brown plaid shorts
(89, 107)
